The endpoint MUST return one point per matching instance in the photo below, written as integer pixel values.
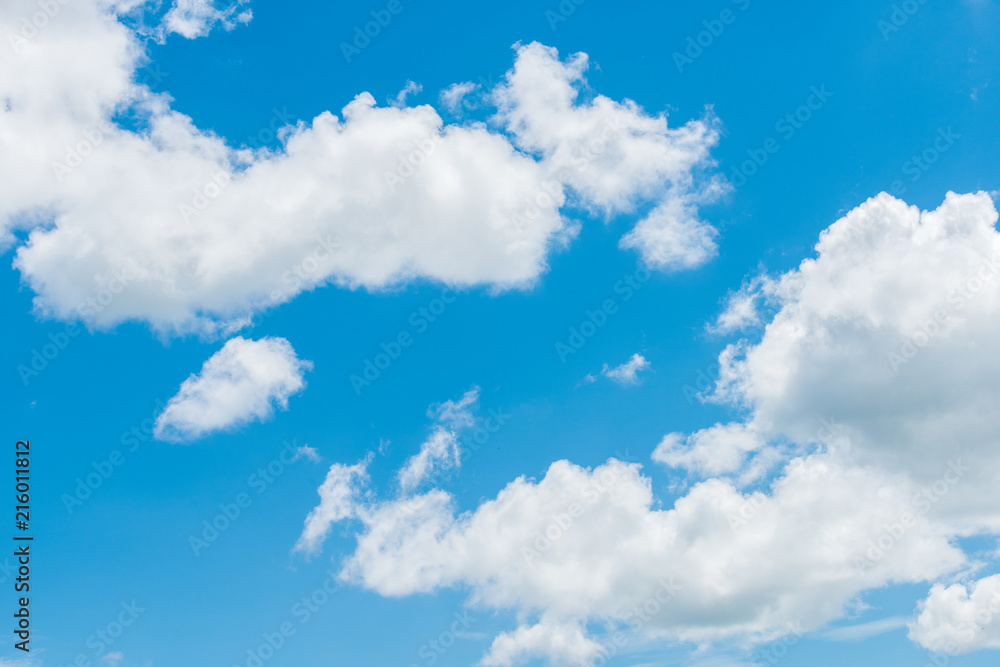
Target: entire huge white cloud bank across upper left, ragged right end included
(171, 225)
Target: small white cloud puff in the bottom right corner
(958, 619)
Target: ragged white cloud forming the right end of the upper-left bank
(613, 154)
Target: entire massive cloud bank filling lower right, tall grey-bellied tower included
(868, 448)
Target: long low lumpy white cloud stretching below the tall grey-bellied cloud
(588, 546)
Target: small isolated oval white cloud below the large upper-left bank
(240, 383)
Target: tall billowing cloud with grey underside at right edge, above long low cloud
(889, 333)
